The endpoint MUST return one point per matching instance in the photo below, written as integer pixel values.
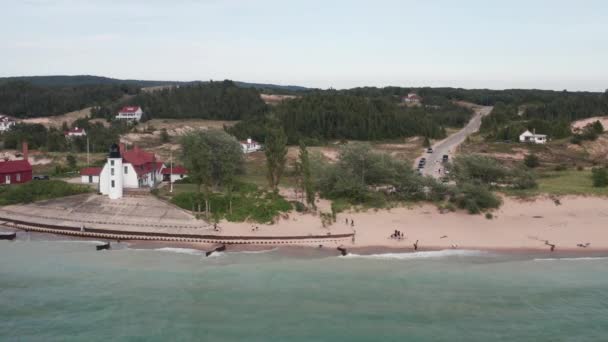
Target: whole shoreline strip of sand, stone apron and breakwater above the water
(518, 227)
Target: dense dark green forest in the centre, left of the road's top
(324, 116)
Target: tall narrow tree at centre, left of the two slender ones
(275, 148)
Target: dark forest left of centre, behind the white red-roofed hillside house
(210, 100)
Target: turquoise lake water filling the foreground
(65, 290)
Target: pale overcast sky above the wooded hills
(319, 43)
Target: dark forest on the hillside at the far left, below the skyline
(22, 99)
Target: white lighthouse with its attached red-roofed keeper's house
(125, 169)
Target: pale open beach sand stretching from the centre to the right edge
(517, 225)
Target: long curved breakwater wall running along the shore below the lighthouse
(170, 237)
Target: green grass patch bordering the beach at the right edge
(570, 182)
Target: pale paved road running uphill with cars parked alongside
(449, 144)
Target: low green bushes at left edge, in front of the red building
(38, 191)
